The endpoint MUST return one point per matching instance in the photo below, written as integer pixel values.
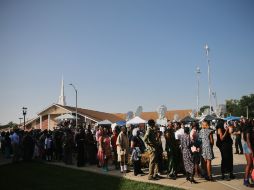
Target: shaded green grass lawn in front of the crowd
(37, 176)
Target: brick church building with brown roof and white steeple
(47, 118)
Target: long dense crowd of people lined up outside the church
(177, 149)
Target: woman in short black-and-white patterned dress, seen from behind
(206, 137)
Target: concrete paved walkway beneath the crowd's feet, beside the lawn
(236, 184)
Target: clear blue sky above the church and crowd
(122, 53)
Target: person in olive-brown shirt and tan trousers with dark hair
(150, 140)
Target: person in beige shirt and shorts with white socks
(122, 144)
